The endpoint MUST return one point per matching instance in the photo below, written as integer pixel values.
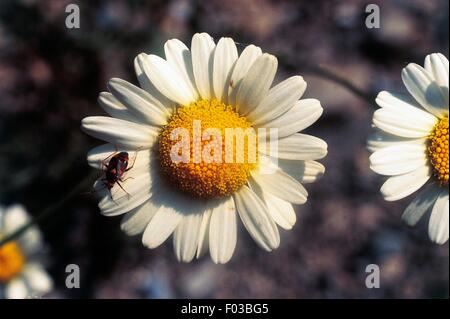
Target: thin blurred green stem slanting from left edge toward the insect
(50, 210)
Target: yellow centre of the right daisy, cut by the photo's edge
(438, 151)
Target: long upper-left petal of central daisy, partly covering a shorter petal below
(139, 103)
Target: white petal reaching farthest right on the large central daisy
(300, 147)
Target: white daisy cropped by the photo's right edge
(411, 145)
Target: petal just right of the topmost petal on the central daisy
(225, 57)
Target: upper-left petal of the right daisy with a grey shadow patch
(424, 89)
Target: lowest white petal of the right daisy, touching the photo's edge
(438, 225)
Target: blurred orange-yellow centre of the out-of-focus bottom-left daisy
(11, 261)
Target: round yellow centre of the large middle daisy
(207, 149)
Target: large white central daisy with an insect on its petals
(200, 201)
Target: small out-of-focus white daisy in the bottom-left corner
(21, 272)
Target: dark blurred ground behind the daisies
(50, 77)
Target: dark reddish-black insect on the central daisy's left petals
(115, 168)
